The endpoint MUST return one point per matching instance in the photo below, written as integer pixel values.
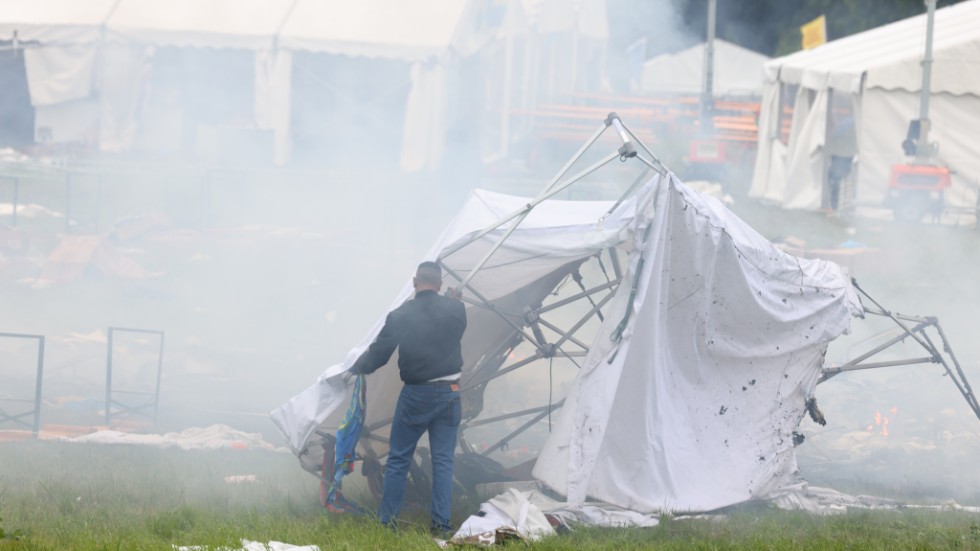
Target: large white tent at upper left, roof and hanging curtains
(64, 39)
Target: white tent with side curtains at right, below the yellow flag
(868, 85)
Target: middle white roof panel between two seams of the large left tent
(249, 24)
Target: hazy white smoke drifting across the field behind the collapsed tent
(261, 276)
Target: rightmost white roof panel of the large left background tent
(409, 30)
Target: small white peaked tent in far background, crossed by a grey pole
(738, 71)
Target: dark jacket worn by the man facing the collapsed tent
(427, 331)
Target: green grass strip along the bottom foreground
(59, 495)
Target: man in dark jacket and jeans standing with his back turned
(427, 331)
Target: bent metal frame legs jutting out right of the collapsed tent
(910, 327)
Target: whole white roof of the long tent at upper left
(408, 29)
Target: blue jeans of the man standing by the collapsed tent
(432, 407)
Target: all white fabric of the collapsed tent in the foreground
(694, 383)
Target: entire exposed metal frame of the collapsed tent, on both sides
(527, 325)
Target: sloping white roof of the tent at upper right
(890, 56)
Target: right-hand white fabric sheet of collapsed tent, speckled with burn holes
(693, 407)
